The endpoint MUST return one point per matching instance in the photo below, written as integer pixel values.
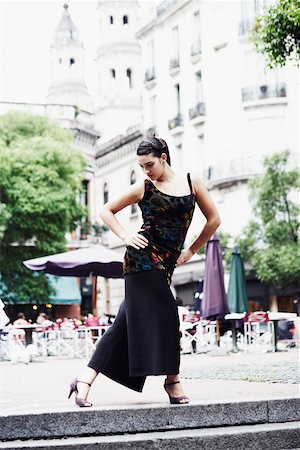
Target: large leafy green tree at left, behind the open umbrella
(40, 176)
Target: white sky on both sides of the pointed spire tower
(26, 31)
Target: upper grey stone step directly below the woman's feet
(91, 422)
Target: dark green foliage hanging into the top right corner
(276, 34)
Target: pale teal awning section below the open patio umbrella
(67, 290)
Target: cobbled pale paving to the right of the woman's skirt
(281, 367)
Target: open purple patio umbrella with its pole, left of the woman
(98, 261)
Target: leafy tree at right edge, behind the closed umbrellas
(271, 241)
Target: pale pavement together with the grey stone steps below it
(223, 413)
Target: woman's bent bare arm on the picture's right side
(213, 221)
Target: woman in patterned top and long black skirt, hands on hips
(144, 339)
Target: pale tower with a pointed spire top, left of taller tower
(67, 84)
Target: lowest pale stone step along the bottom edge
(267, 437)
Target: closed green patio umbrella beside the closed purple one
(237, 295)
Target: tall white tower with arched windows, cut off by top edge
(119, 74)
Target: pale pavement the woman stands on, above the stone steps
(42, 386)
